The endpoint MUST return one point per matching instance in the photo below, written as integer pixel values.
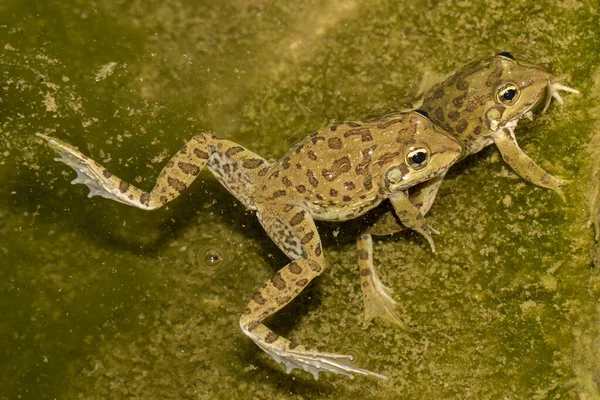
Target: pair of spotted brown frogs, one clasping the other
(342, 171)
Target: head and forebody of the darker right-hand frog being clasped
(489, 95)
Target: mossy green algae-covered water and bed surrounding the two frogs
(98, 300)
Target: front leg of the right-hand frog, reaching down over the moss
(520, 162)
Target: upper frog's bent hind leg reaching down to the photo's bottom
(294, 231)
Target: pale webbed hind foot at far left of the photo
(89, 172)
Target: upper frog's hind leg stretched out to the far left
(233, 165)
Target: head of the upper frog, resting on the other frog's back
(427, 151)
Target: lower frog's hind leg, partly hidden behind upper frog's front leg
(377, 297)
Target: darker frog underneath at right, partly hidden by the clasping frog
(480, 105)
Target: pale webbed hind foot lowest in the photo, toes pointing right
(315, 362)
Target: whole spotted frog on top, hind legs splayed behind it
(337, 173)
